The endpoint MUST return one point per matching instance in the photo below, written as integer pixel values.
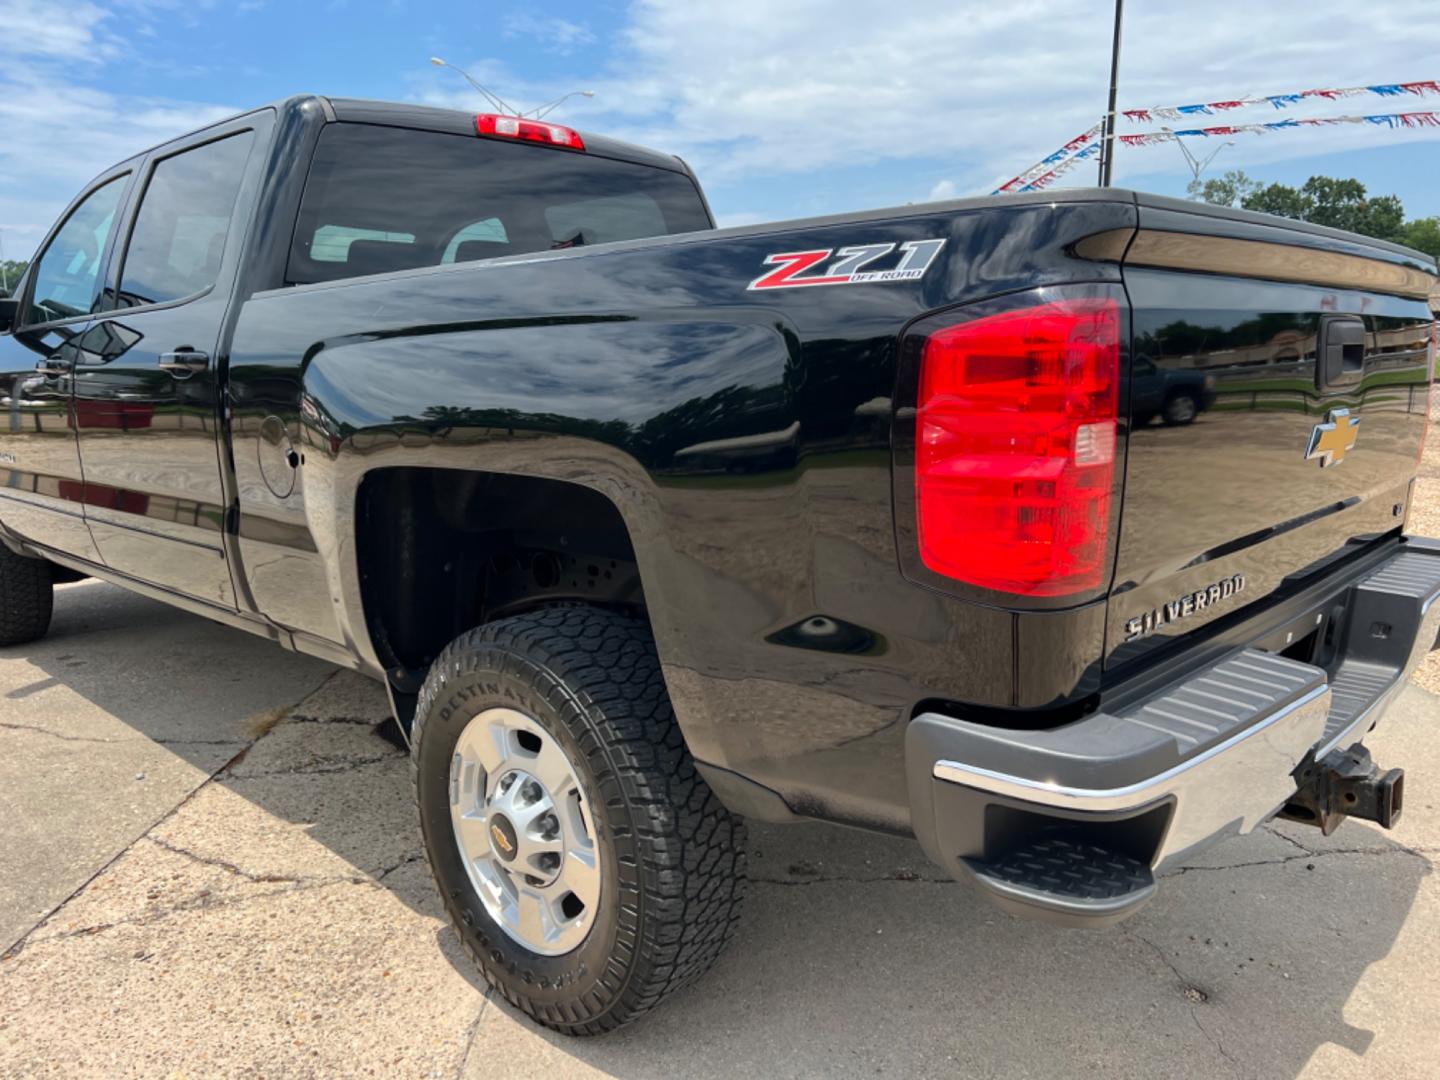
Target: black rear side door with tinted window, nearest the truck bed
(148, 385)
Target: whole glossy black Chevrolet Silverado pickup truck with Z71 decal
(650, 528)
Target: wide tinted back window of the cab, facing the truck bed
(469, 198)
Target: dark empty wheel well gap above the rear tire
(444, 551)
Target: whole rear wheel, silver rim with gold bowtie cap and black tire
(585, 863)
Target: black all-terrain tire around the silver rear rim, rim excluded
(673, 858)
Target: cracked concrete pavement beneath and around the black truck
(279, 919)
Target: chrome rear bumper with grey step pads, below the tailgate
(1207, 757)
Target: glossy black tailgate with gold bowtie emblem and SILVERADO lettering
(1278, 404)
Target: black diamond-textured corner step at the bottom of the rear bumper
(1069, 879)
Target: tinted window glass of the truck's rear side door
(185, 217)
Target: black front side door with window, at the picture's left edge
(41, 487)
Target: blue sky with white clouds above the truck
(786, 110)
